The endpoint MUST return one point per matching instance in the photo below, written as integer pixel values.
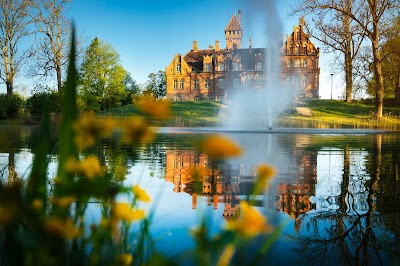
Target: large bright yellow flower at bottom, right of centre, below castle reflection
(250, 223)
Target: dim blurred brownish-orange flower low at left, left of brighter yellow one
(64, 228)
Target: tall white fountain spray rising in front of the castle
(258, 109)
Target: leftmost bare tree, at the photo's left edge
(14, 22)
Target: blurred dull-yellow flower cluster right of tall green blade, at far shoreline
(89, 128)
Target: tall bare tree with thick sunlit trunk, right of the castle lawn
(369, 15)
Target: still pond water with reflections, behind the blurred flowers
(335, 198)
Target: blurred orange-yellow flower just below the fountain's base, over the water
(220, 147)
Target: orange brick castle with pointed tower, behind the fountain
(213, 73)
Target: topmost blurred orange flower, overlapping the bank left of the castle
(157, 109)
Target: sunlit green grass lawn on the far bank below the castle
(326, 114)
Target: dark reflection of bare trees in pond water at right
(351, 234)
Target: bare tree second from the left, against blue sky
(53, 27)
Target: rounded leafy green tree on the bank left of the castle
(102, 75)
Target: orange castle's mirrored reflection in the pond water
(227, 184)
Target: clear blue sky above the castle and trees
(148, 33)
